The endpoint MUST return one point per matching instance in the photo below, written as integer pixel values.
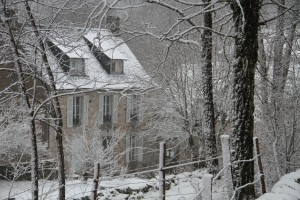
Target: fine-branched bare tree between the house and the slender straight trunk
(174, 109)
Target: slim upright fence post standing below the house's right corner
(162, 175)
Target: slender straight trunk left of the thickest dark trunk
(207, 88)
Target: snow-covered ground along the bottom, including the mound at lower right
(182, 186)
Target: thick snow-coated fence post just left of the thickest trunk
(227, 164)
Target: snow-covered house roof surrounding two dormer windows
(96, 77)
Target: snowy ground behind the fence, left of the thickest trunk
(182, 186)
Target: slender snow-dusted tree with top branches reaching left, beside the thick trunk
(189, 32)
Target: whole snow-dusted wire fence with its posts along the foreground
(205, 193)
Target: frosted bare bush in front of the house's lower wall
(93, 145)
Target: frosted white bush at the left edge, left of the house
(15, 140)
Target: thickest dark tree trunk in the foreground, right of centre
(245, 17)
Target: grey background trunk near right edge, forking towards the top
(281, 62)
